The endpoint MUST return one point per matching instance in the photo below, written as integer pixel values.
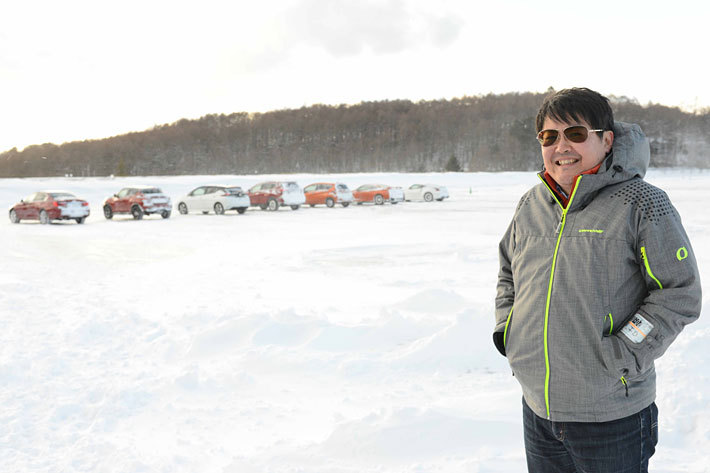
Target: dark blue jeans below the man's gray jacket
(619, 446)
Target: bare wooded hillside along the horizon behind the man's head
(480, 133)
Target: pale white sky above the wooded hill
(82, 69)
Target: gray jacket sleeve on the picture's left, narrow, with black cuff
(505, 290)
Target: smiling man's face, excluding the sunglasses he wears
(565, 160)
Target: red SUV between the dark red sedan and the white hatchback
(138, 201)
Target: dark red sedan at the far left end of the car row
(46, 206)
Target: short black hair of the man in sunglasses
(575, 105)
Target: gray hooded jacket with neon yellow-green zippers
(589, 296)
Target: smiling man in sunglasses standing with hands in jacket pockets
(597, 278)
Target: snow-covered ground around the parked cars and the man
(344, 340)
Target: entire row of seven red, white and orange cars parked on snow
(138, 201)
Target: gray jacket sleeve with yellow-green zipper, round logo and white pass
(673, 300)
